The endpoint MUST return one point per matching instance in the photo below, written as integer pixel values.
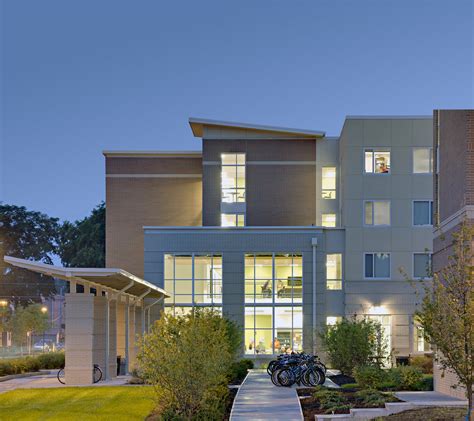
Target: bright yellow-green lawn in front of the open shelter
(78, 403)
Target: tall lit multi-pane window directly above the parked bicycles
(273, 296)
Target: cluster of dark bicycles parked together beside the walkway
(299, 368)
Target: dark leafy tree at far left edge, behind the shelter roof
(28, 235)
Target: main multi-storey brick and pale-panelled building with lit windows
(283, 230)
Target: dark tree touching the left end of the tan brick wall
(82, 243)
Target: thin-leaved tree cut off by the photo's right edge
(447, 311)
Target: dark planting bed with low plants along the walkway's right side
(317, 401)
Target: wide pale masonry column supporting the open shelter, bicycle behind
(79, 339)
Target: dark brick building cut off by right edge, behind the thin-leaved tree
(453, 197)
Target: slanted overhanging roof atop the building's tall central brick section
(197, 125)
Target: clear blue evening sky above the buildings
(79, 77)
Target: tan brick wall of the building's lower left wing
(132, 203)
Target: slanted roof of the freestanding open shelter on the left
(117, 280)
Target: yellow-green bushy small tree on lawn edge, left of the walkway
(187, 358)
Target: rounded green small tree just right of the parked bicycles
(352, 343)
